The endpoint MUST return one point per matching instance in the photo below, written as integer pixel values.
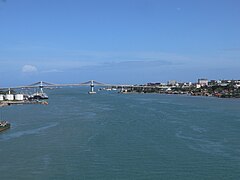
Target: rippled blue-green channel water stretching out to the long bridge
(122, 136)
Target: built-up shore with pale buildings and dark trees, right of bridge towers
(221, 89)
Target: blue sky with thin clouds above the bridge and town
(118, 41)
